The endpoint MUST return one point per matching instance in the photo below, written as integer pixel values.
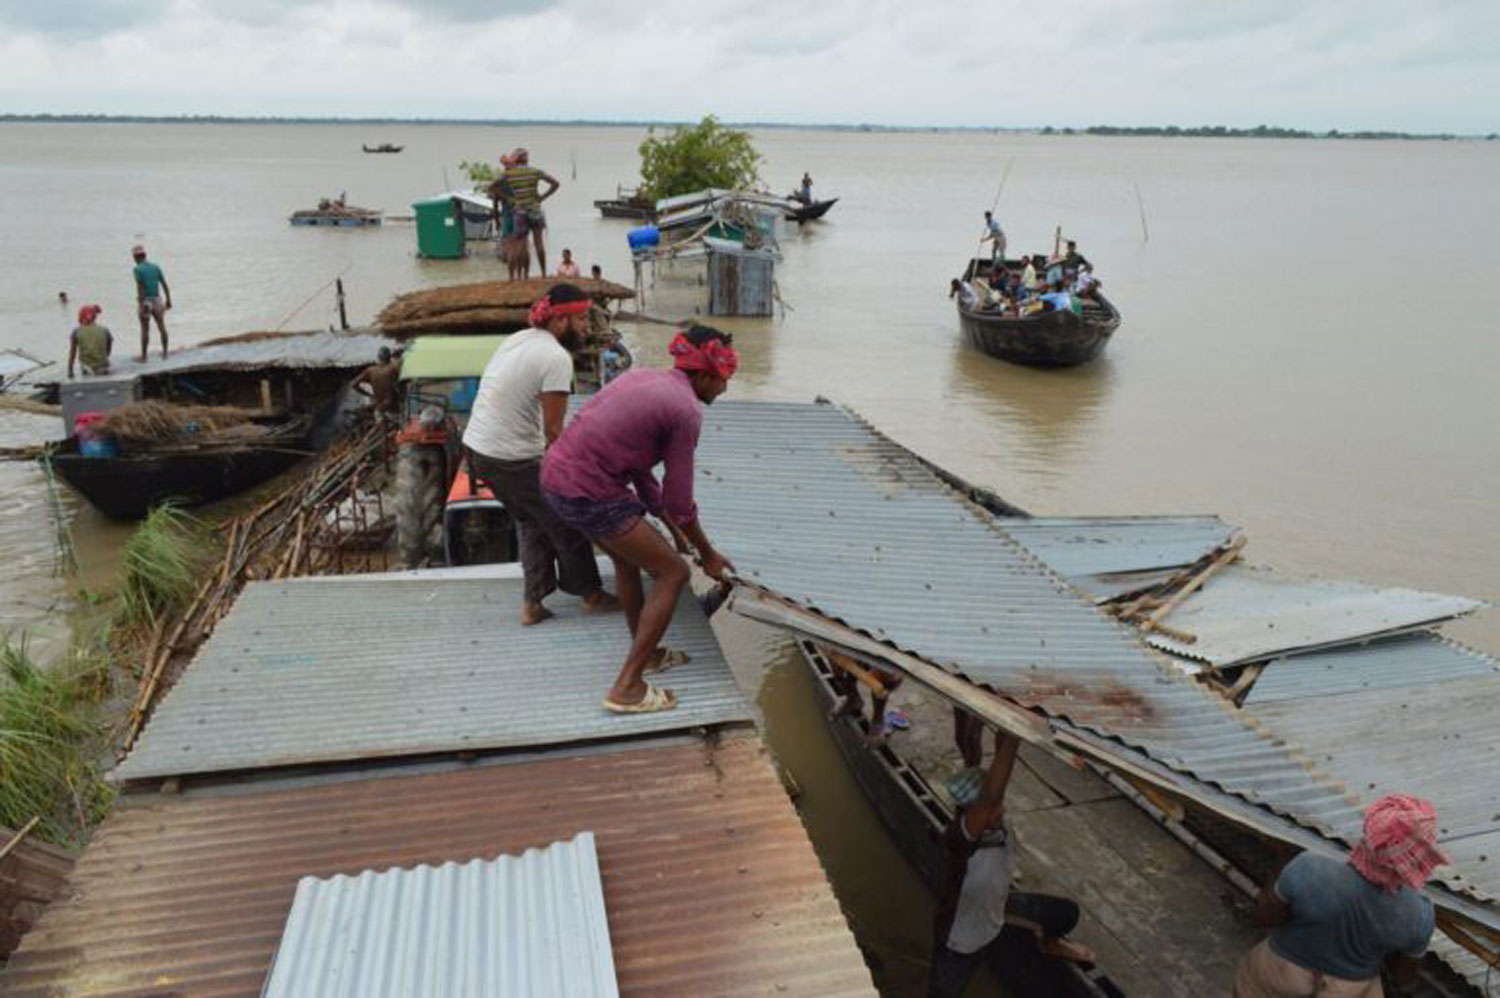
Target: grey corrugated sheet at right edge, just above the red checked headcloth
(1439, 742)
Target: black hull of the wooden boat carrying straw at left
(130, 485)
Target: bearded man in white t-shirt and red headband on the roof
(518, 413)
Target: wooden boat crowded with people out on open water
(1037, 311)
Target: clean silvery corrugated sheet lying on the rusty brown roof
(515, 927)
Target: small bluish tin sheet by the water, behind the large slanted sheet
(1111, 556)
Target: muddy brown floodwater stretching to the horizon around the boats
(1309, 346)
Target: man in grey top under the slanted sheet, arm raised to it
(977, 900)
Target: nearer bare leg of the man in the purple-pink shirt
(643, 549)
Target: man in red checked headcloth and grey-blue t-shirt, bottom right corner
(1334, 927)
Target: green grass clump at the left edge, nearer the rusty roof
(50, 742)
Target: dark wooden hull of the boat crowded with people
(1048, 340)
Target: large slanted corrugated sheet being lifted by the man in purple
(830, 516)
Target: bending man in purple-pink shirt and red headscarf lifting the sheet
(598, 479)
